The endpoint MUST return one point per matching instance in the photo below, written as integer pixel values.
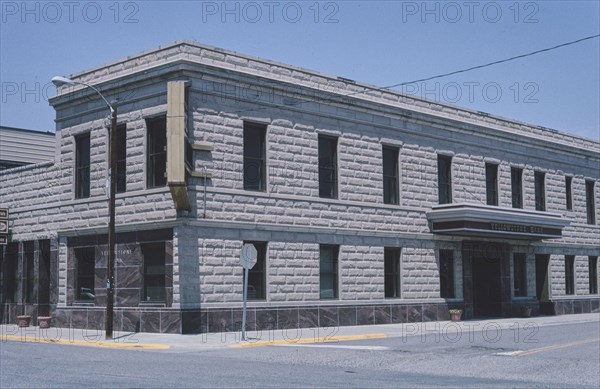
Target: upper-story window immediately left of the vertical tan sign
(156, 152)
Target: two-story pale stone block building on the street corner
(365, 205)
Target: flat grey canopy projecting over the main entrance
(488, 221)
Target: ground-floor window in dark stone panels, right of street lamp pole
(154, 272)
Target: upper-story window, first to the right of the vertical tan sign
(255, 159)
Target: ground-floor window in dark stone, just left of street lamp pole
(85, 274)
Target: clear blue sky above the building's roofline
(378, 42)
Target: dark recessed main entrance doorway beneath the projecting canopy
(487, 286)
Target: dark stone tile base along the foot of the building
(170, 320)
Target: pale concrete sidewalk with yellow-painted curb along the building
(492, 328)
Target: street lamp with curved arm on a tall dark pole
(112, 161)
